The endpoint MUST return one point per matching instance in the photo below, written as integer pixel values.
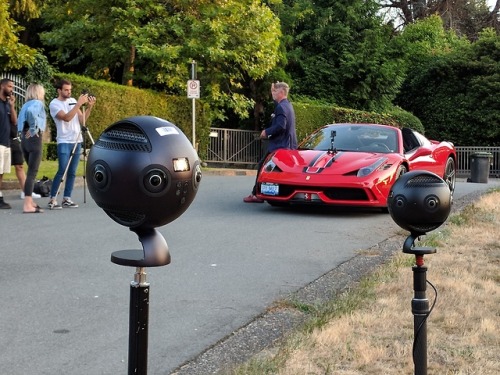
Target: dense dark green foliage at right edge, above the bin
(455, 94)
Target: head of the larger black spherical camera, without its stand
(143, 172)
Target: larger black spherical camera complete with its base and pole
(144, 173)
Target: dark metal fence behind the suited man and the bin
(229, 147)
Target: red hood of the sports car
(339, 163)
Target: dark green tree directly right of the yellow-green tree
(338, 51)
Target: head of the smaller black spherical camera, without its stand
(419, 201)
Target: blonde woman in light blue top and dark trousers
(31, 125)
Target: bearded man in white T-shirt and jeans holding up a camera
(68, 116)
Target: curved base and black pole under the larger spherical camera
(155, 253)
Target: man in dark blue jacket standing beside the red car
(281, 133)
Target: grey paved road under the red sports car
(64, 306)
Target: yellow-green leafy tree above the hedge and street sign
(150, 43)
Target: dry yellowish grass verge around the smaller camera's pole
(463, 329)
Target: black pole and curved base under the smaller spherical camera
(419, 304)
